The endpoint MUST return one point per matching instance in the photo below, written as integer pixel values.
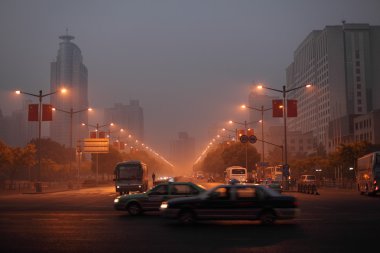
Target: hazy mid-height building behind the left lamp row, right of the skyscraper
(129, 117)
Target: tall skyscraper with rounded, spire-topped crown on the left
(69, 71)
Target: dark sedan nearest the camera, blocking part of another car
(233, 202)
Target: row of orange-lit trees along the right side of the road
(327, 166)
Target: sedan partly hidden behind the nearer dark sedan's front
(151, 200)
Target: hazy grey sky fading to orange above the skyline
(189, 63)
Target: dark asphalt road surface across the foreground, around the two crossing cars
(84, 221)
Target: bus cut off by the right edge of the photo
(368, 176)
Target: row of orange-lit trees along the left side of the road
(21, 163)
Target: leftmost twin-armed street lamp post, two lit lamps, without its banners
(39, 96)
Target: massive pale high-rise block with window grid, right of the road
(342, 63)
